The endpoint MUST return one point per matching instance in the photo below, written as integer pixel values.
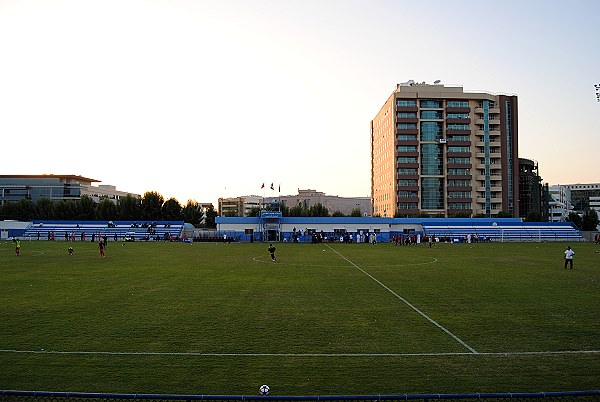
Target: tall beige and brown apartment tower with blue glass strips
(441, 151)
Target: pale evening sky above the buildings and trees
(207, 99)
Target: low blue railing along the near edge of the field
(578, 396)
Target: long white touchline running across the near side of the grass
(325, 355)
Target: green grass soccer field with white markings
(324, 319)
